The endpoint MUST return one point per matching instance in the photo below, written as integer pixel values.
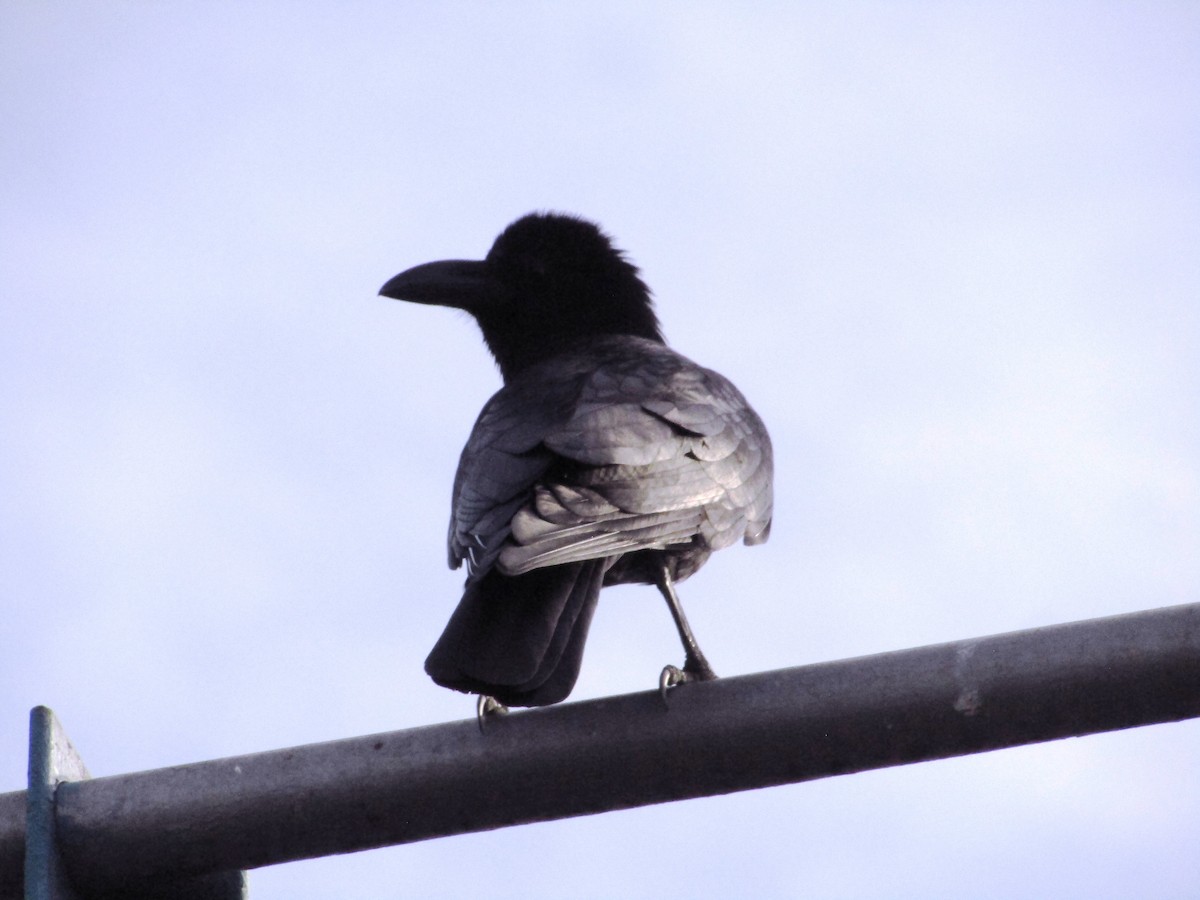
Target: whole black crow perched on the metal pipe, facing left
(605, 459)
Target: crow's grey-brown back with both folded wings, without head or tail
(638, 449)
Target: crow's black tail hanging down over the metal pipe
(520, 639)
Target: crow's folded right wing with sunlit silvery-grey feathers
(655, 453)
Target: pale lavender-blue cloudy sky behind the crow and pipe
(950, 251)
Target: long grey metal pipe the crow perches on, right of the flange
(716, 737)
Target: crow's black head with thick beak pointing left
(549, 281)
